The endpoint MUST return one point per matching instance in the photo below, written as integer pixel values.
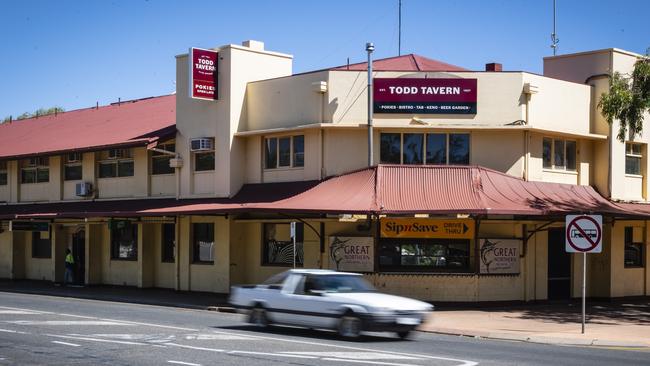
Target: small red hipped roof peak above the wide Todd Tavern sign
(408, 62)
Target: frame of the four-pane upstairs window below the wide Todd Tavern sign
(425, 146)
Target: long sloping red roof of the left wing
(129, 123)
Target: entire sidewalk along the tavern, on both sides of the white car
(609, 324)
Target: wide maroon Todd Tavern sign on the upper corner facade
(424, 96)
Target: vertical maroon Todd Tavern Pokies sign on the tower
(203, 74)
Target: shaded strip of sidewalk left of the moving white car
(134, 295)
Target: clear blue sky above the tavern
(76, 53)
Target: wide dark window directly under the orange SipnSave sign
(426, 255)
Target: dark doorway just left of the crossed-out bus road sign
(559, 266)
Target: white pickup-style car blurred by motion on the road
(324, 299)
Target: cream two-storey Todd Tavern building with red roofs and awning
(467, 202)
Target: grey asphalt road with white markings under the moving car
(42, 330)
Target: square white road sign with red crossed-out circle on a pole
(584, 233)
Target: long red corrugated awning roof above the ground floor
(385, 189)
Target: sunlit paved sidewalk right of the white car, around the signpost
(609, 324)
